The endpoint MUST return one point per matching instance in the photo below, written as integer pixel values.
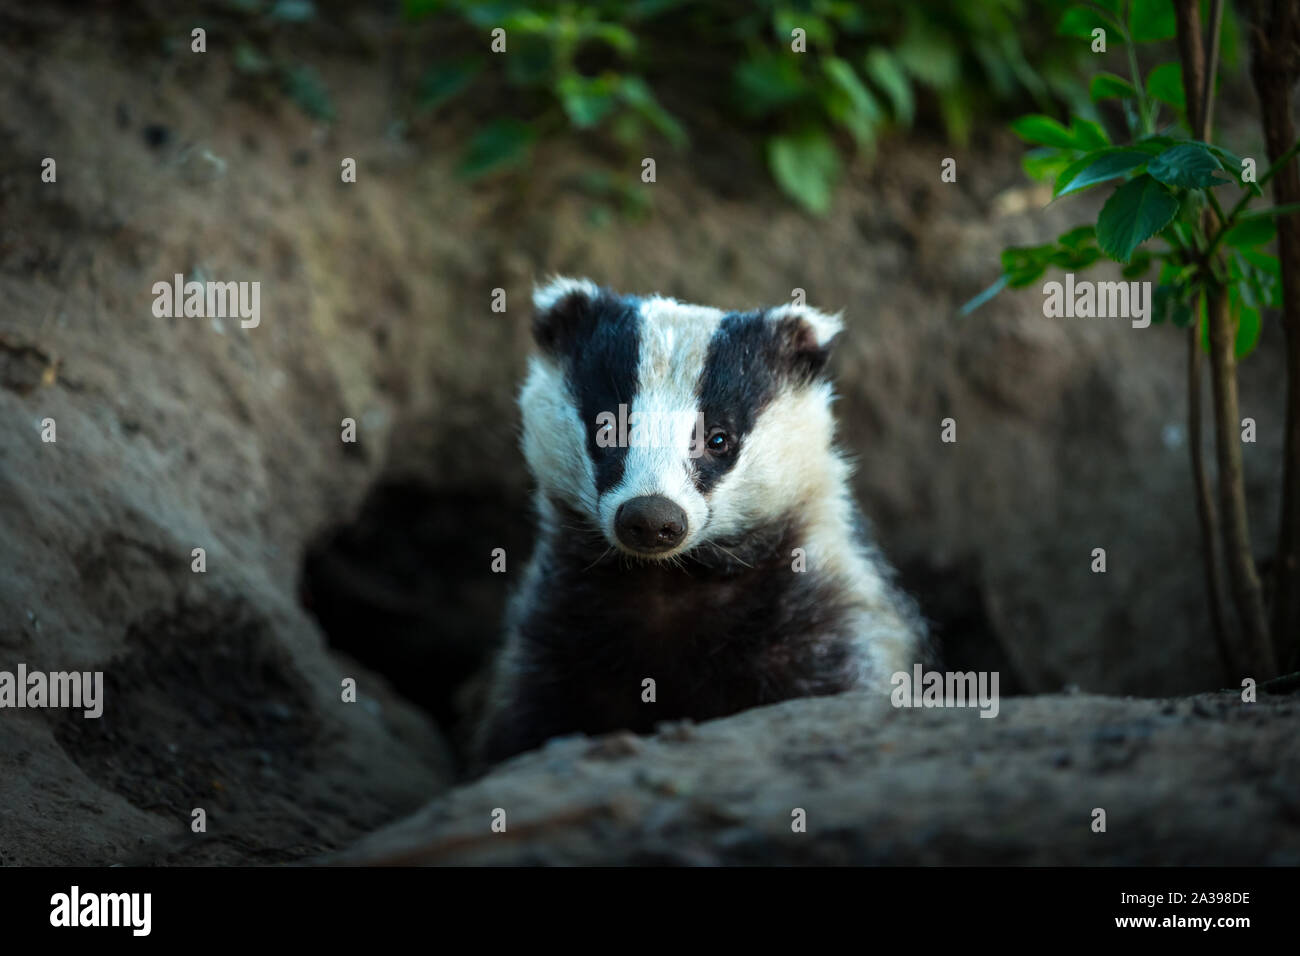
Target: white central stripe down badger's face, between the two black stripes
(674, 345)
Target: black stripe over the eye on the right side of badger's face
(743, 371)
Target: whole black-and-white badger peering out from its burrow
(708, 560)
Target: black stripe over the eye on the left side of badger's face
(601, 366)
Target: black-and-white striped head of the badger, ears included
(671, 427)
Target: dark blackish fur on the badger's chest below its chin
(718, 634)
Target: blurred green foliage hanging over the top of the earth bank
(604, 67)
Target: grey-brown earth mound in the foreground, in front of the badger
(1194, 781)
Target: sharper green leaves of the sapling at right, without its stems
(1164, 185)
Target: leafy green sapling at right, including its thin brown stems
(1216, 272)
